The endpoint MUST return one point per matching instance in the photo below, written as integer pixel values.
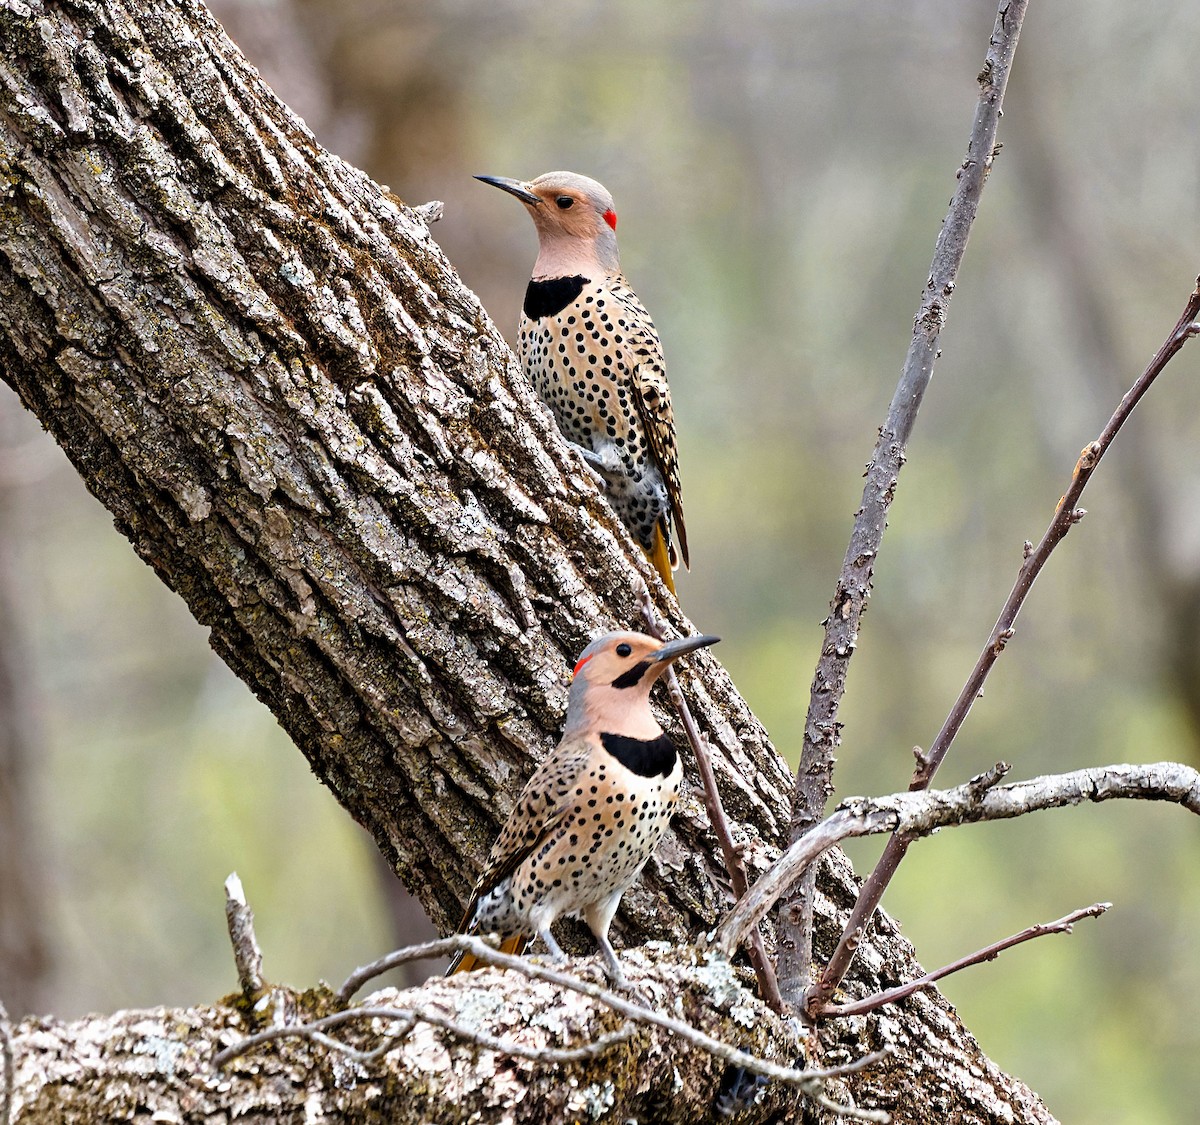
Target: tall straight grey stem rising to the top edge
(814, 779)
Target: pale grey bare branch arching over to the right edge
(919, 814)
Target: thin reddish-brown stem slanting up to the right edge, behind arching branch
(1066, 516)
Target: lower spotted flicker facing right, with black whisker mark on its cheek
(593, 813)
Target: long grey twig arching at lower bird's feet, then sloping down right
(530, 968)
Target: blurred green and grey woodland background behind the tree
(781, 171)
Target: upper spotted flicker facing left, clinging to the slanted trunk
(592, 353)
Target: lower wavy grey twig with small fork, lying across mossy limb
(407, 1018)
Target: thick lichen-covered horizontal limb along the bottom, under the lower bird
(160, 1063)
